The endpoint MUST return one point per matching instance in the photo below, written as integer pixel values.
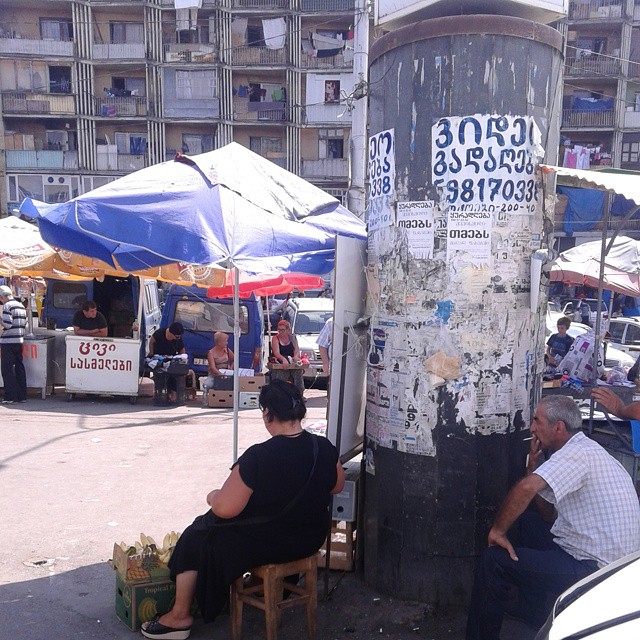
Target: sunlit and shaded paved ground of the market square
(77, 477)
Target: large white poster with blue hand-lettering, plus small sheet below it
(485, 167)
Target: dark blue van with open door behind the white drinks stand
(116, 298)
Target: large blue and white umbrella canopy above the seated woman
(229, 207)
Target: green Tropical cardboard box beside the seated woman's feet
(138, 603)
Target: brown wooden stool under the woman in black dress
(268, 595)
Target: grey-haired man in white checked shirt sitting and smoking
(594, 508)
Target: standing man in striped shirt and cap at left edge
(14, 321)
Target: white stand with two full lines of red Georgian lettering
(102, 366)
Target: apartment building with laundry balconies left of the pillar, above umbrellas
(94, 89)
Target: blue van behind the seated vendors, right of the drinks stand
(202, 317)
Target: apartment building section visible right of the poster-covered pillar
(601, 98)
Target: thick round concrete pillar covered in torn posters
(455, 351)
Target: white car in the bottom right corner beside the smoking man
(602, 606)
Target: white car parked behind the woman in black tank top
(307, 317)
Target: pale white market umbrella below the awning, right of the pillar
(581, 266)
